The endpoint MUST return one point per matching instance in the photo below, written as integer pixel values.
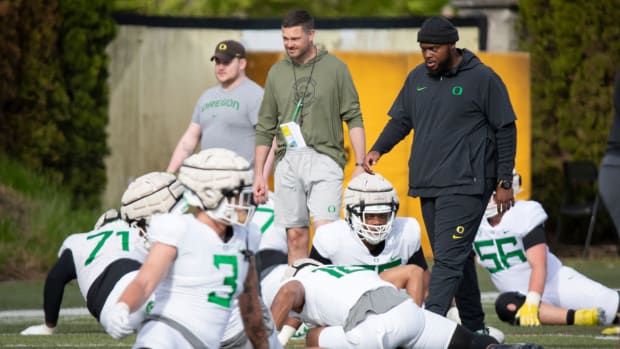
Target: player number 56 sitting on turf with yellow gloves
(535, 287)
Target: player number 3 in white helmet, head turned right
(199, 263)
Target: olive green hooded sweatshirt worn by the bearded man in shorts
(330, 98)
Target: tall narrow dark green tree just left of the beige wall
(86, 30)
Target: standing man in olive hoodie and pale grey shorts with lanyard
(308, 95)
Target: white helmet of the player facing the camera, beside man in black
(370, 194)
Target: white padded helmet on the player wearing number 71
(154, 192)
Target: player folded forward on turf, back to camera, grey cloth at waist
(352, 307)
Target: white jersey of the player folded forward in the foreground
(331, 291)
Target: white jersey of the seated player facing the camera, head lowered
(337, 242)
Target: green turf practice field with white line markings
(21, 304)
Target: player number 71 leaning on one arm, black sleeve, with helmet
(107, 258)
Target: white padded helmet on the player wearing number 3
(219, 181)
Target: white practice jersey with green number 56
(500, 249)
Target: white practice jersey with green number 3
(200, 288)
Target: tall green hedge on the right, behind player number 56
(575, 51)
